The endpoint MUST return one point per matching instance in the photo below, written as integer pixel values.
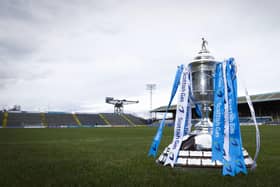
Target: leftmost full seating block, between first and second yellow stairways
(19, 119)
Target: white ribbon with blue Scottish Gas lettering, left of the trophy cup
(182, 116)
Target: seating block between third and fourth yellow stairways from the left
(90, 119)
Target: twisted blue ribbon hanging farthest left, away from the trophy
(156, 141)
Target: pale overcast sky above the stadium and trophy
(68, 55)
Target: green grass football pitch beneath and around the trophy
(118, 157)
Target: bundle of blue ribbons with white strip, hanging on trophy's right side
(226, 127)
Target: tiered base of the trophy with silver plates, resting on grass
(195, 152)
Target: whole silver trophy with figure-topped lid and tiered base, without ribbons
(196, 147)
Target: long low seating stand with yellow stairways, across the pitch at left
(23, 119)
